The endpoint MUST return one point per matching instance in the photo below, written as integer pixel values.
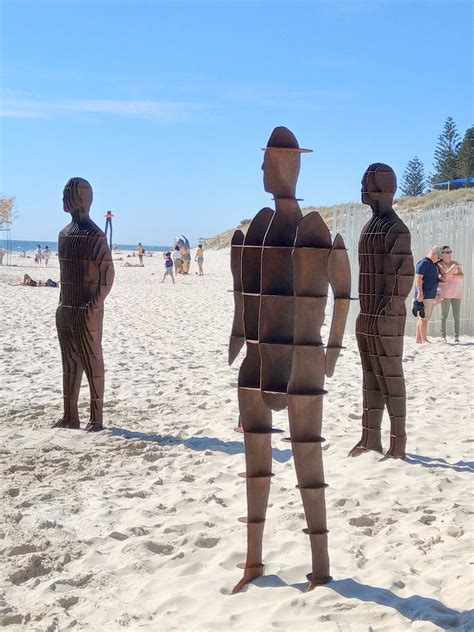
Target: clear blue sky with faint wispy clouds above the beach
(164, 106)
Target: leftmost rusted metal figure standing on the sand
(87, 274)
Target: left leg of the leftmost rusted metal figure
(72, 375)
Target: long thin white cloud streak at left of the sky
(30, 106)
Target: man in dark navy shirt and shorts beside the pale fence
(426, 284)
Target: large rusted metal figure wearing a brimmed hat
(282, 269)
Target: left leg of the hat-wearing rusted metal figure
(256, 425)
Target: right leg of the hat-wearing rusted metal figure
(305, 417)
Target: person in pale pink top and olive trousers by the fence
(451, 291)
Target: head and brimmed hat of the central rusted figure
(281, 163)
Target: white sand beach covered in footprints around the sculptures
(136, 528)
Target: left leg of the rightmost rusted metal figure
(373, 403)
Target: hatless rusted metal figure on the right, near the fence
(385, 280)
